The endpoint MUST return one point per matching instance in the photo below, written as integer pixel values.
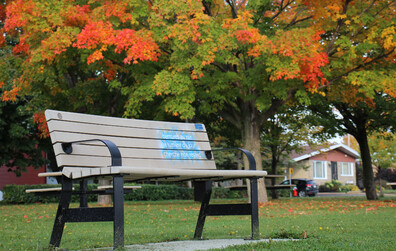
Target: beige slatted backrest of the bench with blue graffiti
(142, 143)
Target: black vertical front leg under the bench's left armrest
(118, 192)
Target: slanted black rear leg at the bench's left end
(63, 206)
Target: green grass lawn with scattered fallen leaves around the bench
(347, 223)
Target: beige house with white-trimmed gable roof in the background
(337, 162)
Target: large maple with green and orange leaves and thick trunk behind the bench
(241, 60)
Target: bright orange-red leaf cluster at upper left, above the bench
(96, 33)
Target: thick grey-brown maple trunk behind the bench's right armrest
(251, 129)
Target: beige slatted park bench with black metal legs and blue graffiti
(90, 146)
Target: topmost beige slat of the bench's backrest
(113, 121)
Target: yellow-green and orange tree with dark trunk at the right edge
(360, 42)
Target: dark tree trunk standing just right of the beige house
(368, 174)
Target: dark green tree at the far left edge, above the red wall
(20, 144)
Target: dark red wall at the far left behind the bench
(27, 178)
